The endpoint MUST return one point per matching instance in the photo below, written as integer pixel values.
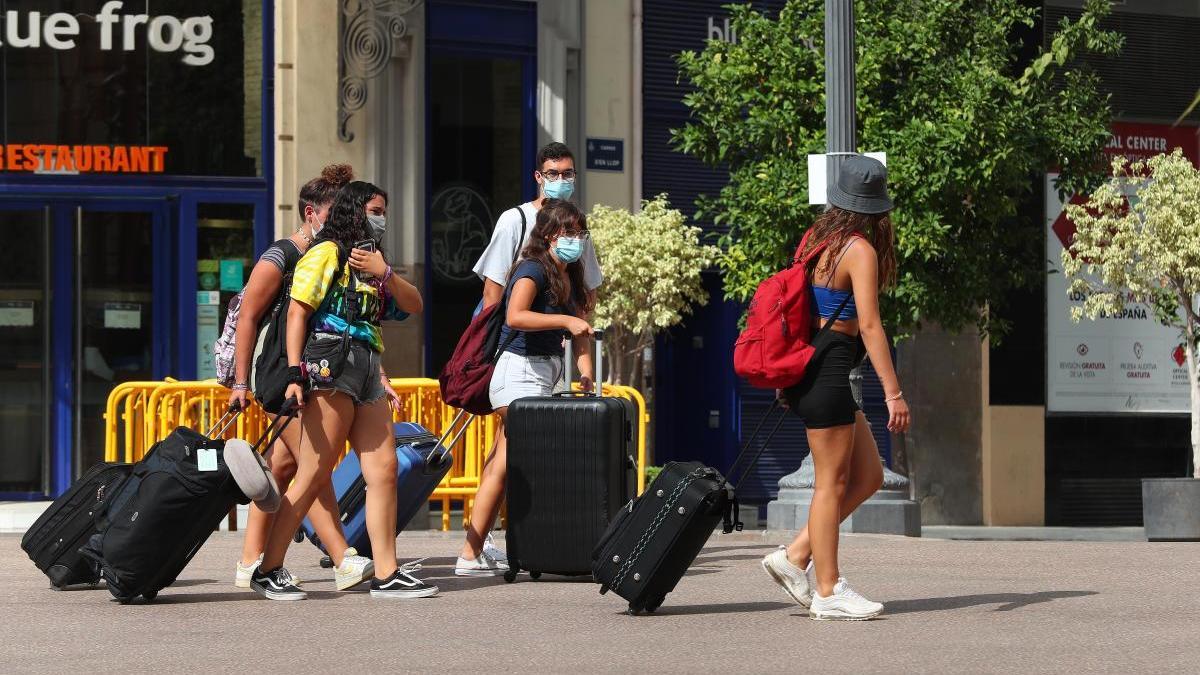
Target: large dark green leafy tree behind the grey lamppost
(941, 91)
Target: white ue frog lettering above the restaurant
(117, 31)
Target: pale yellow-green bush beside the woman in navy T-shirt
(652, 264)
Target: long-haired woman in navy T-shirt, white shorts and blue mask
(547, 301)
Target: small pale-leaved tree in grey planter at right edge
(1148, 250)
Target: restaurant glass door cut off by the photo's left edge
(26, 355)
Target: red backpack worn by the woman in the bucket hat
(775, 349)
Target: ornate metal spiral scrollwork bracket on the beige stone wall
(368, 32)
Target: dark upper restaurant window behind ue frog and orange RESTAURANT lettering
(137, 87)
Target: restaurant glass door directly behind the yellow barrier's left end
(119, 327)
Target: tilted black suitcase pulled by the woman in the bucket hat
(656, 539)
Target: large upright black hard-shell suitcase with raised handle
(569, 468)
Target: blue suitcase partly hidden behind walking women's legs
(423, 462)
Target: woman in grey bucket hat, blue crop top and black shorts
(855, 258)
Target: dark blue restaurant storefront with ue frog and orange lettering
(136, 190)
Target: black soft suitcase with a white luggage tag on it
(175, 500)
